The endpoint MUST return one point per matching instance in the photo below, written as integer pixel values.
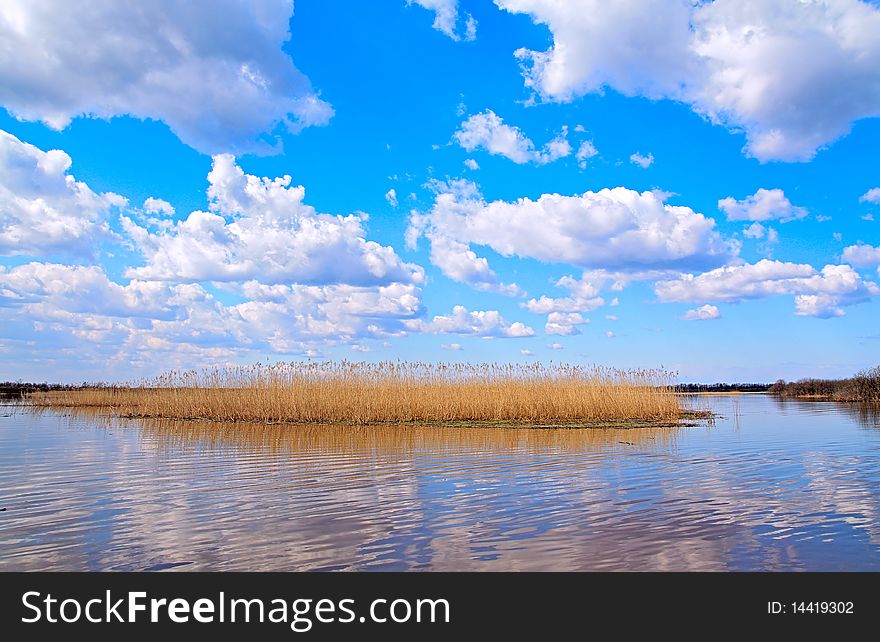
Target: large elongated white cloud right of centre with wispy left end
(616, 229)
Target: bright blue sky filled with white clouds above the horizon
(693, 185)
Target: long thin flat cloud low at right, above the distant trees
(816, 293)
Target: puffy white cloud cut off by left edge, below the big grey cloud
(44, 210)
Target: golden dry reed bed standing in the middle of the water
(396, 392)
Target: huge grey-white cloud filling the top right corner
(765, 67)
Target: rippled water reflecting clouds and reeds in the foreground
(781, 486)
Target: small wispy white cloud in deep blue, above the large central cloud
(488, 131)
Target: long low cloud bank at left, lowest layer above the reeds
(82, 303)
